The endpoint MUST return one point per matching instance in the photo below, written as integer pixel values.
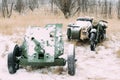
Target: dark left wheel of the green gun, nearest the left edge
(11, 63)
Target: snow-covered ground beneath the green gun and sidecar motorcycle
(103, 64)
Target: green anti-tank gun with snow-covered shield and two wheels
(42, 47)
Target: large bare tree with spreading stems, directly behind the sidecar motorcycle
(68, 7)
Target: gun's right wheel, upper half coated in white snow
(71, 60)
